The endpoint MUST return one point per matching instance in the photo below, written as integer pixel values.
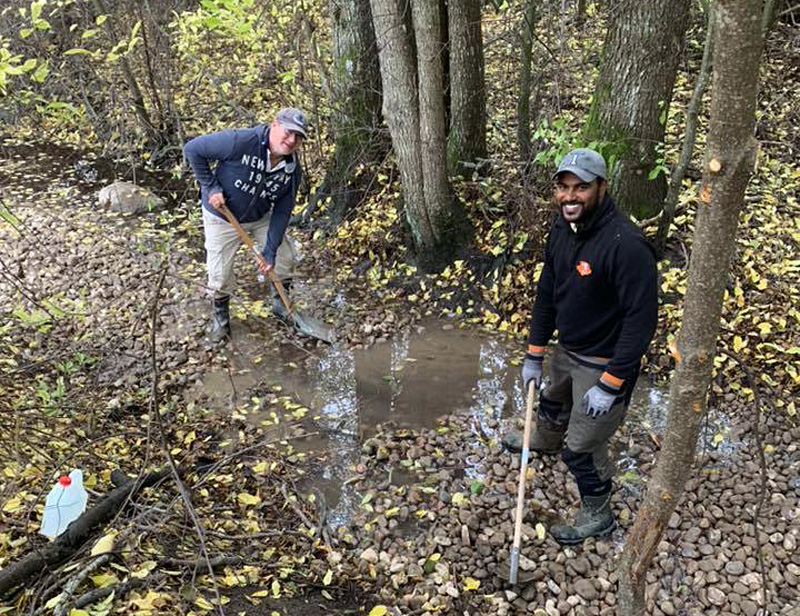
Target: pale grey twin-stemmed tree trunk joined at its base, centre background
(416, 124)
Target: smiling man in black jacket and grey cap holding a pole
(598, 288)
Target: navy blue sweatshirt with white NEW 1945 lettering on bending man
(241, 175)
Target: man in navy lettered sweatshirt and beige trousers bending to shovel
(255, 173)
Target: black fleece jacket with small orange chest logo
(599, 288)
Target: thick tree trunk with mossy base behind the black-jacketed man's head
(628, 115)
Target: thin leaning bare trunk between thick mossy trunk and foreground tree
(676, 181)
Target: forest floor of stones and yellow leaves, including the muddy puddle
(304, 500)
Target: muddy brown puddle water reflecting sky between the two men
(423, 373)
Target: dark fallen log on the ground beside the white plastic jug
(76, 534)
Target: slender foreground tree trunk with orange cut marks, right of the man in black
(729, 160)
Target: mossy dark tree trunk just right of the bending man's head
(356, 99)
